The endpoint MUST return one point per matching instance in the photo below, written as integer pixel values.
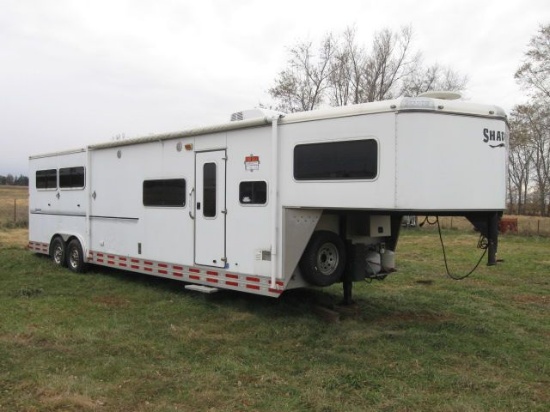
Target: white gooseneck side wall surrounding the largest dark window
(378, 193)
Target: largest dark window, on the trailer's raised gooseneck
(347, 160)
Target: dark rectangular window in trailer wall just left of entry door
(164, 192)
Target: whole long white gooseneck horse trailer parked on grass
(269, 202)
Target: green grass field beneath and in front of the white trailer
(116, 341)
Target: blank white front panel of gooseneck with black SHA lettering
(443, 162)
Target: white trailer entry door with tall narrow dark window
(210, 209)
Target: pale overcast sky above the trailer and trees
(77, 72)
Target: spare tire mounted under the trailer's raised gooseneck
(324, 259)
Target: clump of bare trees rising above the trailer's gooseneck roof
(344, 72)
